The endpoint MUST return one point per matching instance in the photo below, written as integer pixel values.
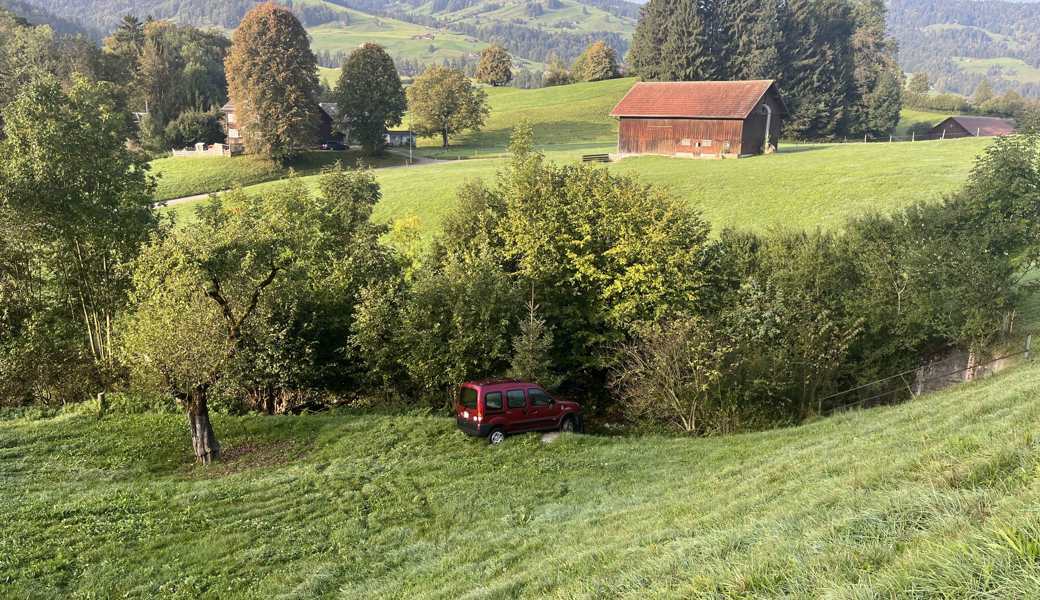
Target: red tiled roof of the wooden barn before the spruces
(694, 99)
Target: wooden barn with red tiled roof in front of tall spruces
(700, 119)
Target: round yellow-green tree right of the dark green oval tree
(444, 102)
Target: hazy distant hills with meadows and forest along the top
(958, 43)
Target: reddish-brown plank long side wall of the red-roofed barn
(680, 136)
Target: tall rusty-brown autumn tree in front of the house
(273, 82)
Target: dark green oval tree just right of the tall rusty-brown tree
(370, 96)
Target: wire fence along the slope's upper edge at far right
(912, 384)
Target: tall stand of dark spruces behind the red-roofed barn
(833, 59)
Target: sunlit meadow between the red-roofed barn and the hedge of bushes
(803, 187)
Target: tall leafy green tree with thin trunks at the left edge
(79, 203)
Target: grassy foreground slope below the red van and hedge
(932, 500)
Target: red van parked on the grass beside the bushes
(493, 409)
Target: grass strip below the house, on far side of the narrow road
(180, 177)
